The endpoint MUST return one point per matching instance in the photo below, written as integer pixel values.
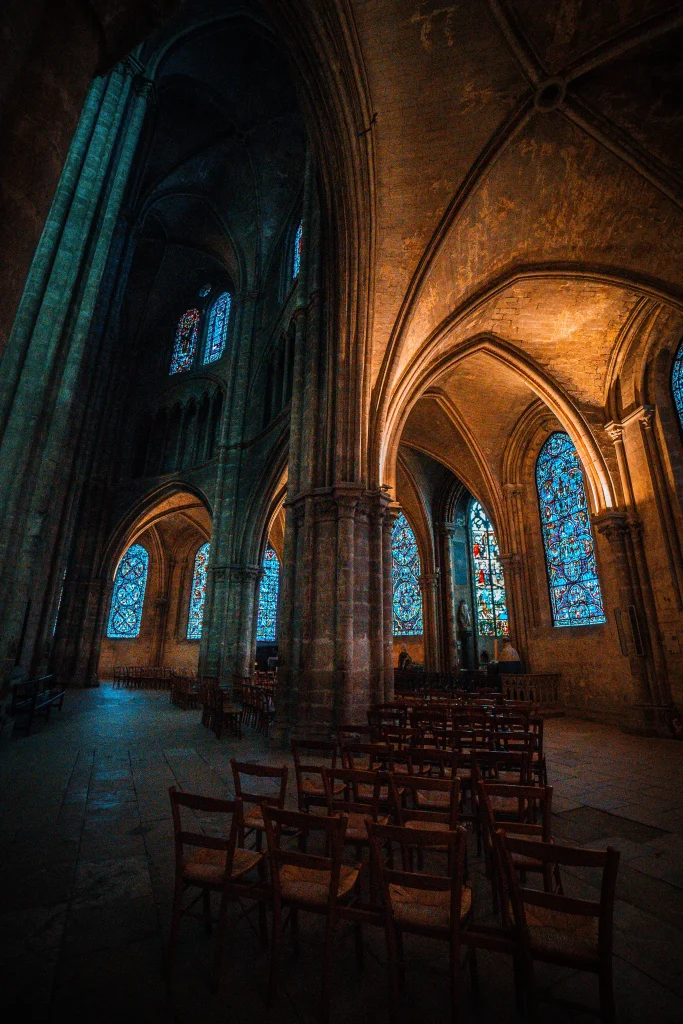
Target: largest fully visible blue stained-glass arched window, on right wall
(573, 574)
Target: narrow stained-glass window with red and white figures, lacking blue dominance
(492, 612)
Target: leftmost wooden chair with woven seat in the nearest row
(217, 864)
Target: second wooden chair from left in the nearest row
(316, 884)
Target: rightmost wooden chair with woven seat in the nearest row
(558, 929)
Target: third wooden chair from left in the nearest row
(438, 907)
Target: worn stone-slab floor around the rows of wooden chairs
(87, 849)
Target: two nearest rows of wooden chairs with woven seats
(536, 925)
